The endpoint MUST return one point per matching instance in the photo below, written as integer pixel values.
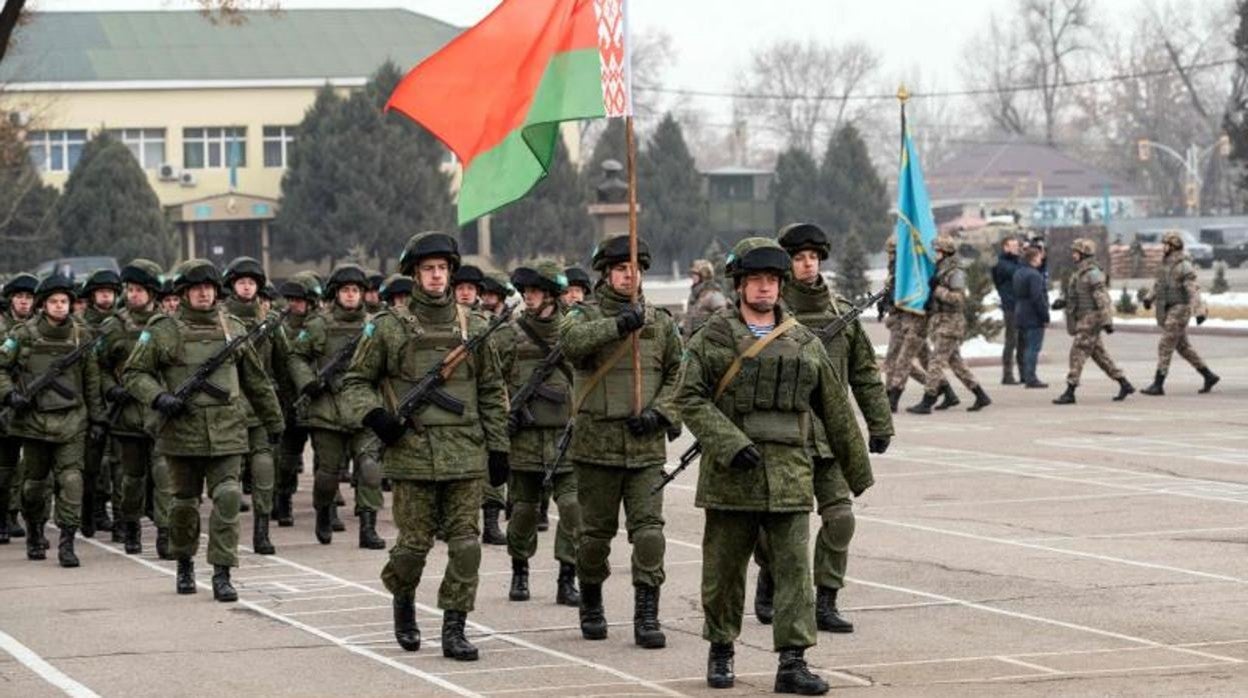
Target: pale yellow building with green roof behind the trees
(208, 109)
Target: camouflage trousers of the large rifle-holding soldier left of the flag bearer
(416, 506)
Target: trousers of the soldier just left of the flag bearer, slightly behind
(522, 530)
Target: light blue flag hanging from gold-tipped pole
(917, 230)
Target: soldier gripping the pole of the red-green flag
(618, 456)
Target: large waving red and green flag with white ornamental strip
(497, 94)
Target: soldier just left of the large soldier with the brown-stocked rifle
(336, 440)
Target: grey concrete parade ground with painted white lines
(1028, 550)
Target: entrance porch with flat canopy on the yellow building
(224, 227)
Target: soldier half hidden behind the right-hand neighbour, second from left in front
(133, 444)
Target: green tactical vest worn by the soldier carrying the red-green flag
(612, 399)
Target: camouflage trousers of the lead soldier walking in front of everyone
(728, 540)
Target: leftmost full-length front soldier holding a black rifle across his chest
(53, 425)
